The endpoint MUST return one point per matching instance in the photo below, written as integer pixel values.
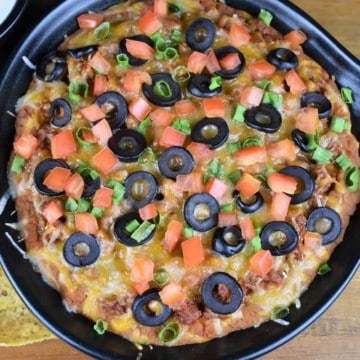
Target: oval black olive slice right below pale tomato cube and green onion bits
(263, 118)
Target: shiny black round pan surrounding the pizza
(46, 304)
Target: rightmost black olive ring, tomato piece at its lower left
(326, 222)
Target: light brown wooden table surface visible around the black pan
(336, 334)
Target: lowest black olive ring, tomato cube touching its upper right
(146, 309)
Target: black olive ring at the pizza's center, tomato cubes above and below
(175, 161)
